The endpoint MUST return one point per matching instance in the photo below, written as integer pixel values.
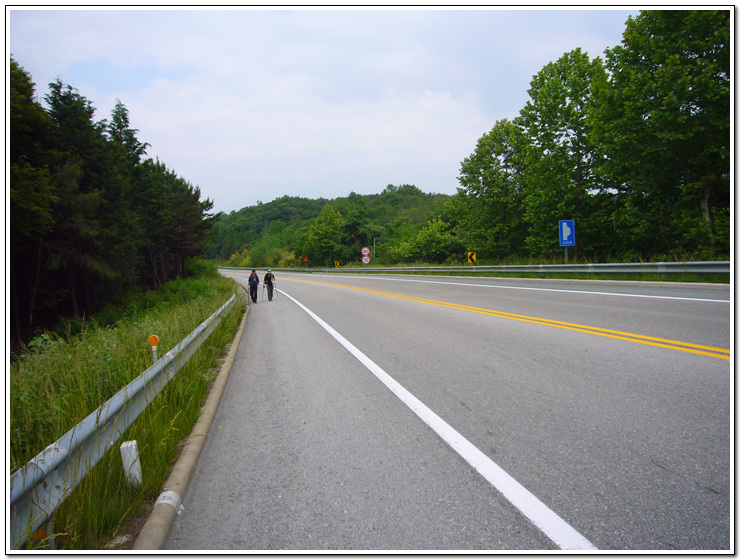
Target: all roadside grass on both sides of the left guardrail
(64, 378)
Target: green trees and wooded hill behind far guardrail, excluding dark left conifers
(633, 147)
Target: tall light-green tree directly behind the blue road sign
(561, 182)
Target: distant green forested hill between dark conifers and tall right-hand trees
(288, 229)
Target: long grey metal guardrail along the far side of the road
(702, 267)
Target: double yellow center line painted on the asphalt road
(722, 353)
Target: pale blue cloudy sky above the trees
(254, 104)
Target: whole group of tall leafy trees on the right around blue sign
(639, 158)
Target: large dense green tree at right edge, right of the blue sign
(664, 121)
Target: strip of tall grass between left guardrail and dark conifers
(87, 367)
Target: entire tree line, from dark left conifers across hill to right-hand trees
(634, 147)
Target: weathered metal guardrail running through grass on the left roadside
(42, 484)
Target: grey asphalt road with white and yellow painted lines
(469, 414)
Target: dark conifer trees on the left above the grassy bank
(91, 219)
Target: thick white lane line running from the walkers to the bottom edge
(550, 523)
